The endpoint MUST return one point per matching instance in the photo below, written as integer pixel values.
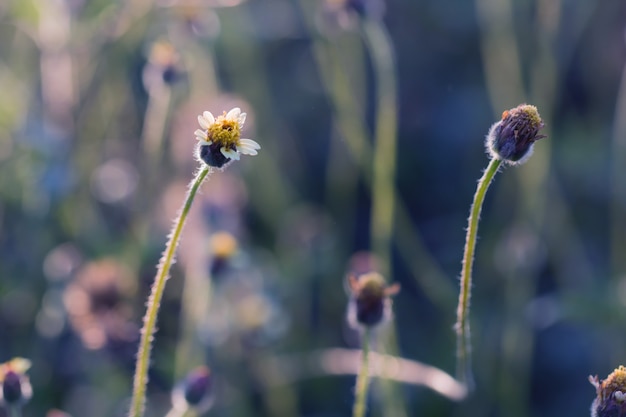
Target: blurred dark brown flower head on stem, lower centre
(370, 304)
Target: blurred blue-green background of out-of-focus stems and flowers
(371, 124)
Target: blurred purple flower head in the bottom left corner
(16, 388)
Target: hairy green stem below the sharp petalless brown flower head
(463, 351)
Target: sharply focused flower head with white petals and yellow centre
(220, 138)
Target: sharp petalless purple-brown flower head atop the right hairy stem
(512, 138)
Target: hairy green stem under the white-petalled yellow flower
(154, 302)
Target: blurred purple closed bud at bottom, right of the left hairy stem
(194, 391)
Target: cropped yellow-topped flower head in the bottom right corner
(611, 394)
